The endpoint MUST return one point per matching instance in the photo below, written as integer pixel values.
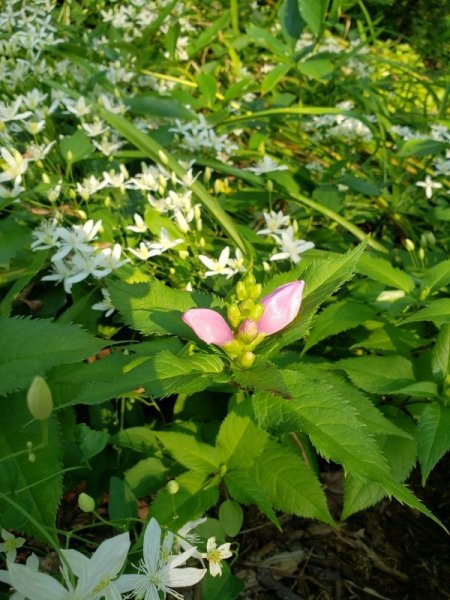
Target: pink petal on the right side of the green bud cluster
(281, 307)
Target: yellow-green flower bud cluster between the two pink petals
(245, 306)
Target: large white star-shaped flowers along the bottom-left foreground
(159, 571)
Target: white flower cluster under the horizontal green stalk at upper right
(340, 126)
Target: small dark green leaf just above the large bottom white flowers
(191, 501)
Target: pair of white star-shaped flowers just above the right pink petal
(279, 228)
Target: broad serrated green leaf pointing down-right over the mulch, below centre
(290, 484)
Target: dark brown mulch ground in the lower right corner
(388, 552)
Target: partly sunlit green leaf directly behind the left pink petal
(154, 308)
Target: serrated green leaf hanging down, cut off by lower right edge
(433, 436)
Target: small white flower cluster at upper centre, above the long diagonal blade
(200, 135)
